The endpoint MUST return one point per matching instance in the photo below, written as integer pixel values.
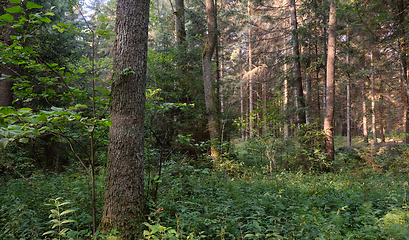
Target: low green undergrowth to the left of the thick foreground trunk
(24, 216)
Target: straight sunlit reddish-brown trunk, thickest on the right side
(329, 109)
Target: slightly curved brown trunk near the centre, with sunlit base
(209, 91)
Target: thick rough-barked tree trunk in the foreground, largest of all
(124, 194)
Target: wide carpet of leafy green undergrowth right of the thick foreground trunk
(210, 205)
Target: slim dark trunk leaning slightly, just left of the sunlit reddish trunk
(299, 97)
